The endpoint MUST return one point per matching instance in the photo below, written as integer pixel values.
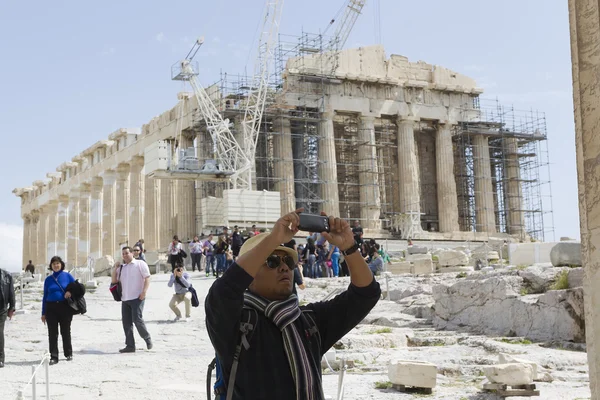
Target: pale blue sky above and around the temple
(75, 71)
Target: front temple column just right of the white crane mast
(284, 163)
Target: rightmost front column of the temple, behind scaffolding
(513, 191)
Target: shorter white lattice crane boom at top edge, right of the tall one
(352, 9)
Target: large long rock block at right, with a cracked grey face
(483, 306)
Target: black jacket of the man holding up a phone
(263, 371)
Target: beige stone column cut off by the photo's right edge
(584, 16)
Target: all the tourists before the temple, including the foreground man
(259, 280)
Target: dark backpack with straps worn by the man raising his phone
(247, 324)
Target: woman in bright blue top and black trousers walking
(55, 309)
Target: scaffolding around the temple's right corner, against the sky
(519, 168)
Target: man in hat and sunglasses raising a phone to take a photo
(266, 345)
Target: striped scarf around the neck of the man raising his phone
(283, 314)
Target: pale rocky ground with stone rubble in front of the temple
(461, 323)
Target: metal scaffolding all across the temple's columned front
(299, 85)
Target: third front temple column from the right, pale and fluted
(446, 183)
